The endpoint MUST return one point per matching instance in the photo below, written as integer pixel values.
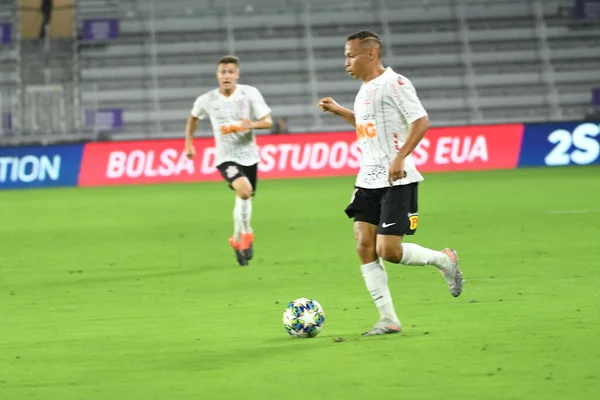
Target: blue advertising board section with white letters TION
(25, 167)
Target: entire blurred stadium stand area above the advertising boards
(90, 70)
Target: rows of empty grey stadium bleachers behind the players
(471, 61)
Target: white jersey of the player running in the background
(226, 114)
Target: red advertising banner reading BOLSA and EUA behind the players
(295, 156)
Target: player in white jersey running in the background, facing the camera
(235, 111)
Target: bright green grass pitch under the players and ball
(132, 293)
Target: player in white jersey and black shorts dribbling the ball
(390, 122)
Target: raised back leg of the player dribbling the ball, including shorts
(400, 217)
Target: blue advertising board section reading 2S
(567, 143)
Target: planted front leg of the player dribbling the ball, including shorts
(365, 212)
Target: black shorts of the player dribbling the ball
(393, 209)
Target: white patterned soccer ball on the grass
(303, 318)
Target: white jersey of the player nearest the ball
(384, 110)
